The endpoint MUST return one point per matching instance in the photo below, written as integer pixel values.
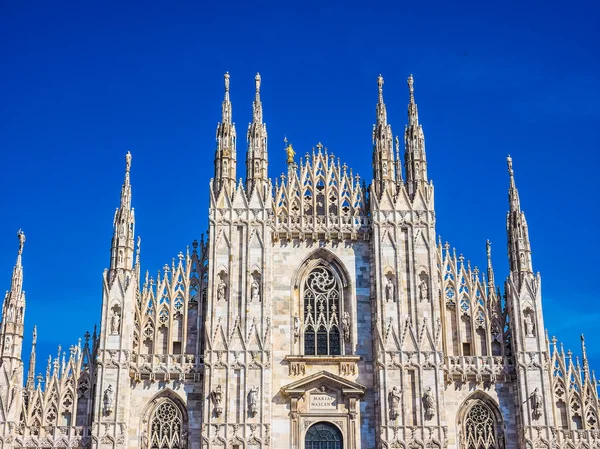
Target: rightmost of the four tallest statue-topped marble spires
(414, 145)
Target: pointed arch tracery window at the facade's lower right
(481, 428)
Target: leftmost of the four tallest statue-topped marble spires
(225, 157)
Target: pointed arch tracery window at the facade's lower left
(166, 427)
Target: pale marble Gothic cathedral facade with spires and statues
(317, 313)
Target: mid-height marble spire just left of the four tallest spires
(124, 223)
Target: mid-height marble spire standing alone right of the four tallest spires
(519, 248)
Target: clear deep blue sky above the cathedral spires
(85, 82)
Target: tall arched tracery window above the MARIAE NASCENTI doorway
(322, 298)
